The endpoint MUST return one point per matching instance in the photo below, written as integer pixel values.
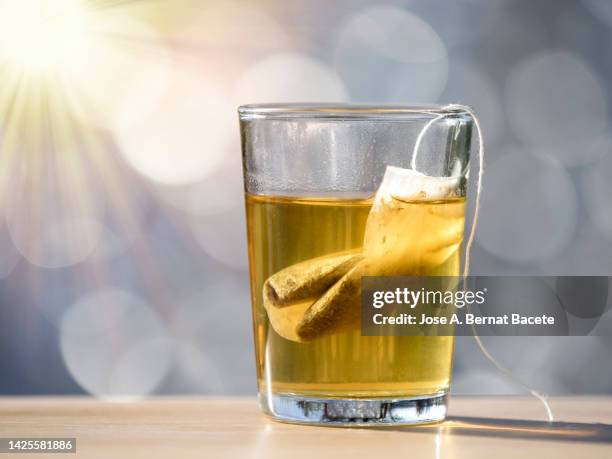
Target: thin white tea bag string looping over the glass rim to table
(470, 240)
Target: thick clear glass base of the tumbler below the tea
(355, 411)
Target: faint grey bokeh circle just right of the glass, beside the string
(529, 208)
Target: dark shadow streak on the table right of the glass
(521, 429)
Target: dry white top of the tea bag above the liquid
(408, 185)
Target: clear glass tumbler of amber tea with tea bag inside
(311, 174)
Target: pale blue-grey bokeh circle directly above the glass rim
(388, 54)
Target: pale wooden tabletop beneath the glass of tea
(478, 427)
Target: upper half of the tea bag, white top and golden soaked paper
(408, 232)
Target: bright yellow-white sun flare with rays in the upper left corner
(66, 67)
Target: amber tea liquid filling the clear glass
(285, 231)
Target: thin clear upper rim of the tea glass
(349, 111)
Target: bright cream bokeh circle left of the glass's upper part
(185, 138)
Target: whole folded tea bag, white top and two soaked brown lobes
(415, 224)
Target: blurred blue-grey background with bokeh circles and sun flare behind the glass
(122, 237)
